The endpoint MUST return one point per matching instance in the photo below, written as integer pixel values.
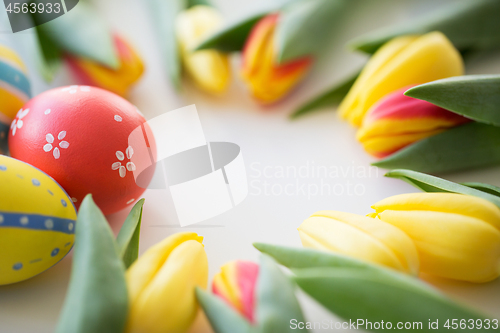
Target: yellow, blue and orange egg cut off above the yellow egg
(14, 91)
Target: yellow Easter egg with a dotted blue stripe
(37, 221)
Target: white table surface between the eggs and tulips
(269, 142)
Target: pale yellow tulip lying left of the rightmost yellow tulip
(360, 237)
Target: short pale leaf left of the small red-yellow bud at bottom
(223, 318)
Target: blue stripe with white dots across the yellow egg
(37, 222)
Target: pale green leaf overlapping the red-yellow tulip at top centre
(305, 27)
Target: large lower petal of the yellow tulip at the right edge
(449, 244)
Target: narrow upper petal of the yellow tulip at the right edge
(443, 202)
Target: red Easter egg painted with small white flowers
(79, 135)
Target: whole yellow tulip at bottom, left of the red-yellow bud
(161, 285)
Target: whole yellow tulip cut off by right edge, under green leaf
(457, 236)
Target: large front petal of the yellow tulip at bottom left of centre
(168, 303)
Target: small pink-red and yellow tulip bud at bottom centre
(235, 284)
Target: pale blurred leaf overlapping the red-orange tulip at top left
(81, 33)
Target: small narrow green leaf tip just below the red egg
(128, 237)
